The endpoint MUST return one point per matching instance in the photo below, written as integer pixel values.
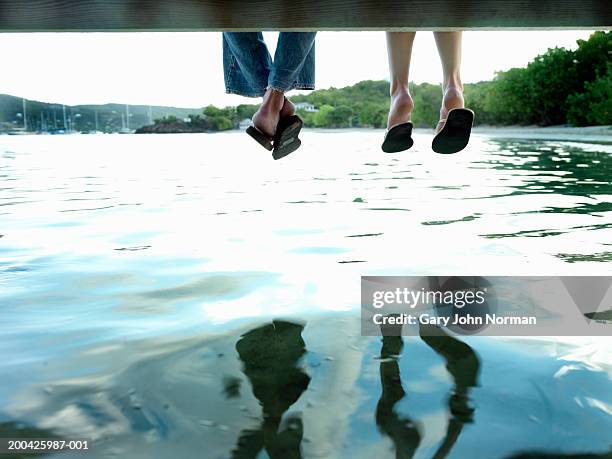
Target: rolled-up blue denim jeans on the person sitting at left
(249, 69)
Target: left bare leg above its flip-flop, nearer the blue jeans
(399, 50)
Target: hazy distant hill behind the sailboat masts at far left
(50, 117)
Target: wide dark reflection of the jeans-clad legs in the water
(270, 355)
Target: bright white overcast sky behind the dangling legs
(185, 69)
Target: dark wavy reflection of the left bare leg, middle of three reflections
(401, 431)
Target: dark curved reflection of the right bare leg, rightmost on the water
(463, 365)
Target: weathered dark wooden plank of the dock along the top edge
(215, 15)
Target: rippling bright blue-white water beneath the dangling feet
(138, 273)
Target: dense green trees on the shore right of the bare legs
(557, 87)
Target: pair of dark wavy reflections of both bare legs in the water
(462, 364)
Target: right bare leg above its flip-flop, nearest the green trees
(449, 48)
